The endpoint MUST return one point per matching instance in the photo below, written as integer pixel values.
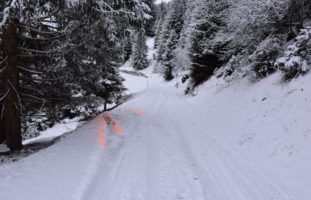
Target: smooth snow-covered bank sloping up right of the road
(268, 123)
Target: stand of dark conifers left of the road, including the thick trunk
(62, 49)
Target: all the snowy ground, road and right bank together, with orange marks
(243, 142)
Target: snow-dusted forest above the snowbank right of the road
(233, 39)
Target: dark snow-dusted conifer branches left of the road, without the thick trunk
(69, 56)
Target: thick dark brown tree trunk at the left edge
(10, 78)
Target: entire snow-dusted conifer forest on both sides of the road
(60, 59)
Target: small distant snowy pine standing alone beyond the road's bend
(139, 56)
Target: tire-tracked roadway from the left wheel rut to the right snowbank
(169, 154)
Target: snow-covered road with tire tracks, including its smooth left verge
(164, 153)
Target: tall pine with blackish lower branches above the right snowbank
(204, 58)
